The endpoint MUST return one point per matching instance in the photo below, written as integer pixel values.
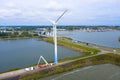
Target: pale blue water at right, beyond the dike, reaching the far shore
(108, 39)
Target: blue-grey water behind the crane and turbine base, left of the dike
(25, 52)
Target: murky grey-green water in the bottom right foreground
(97, 72)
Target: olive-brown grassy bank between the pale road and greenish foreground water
(100, 59)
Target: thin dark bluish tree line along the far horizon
(70, 27)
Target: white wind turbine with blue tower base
(54, 23)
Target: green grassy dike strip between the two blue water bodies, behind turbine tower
(69, 44)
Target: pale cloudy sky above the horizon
(80, 12)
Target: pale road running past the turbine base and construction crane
(17, 73)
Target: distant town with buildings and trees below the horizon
(46, 31)
